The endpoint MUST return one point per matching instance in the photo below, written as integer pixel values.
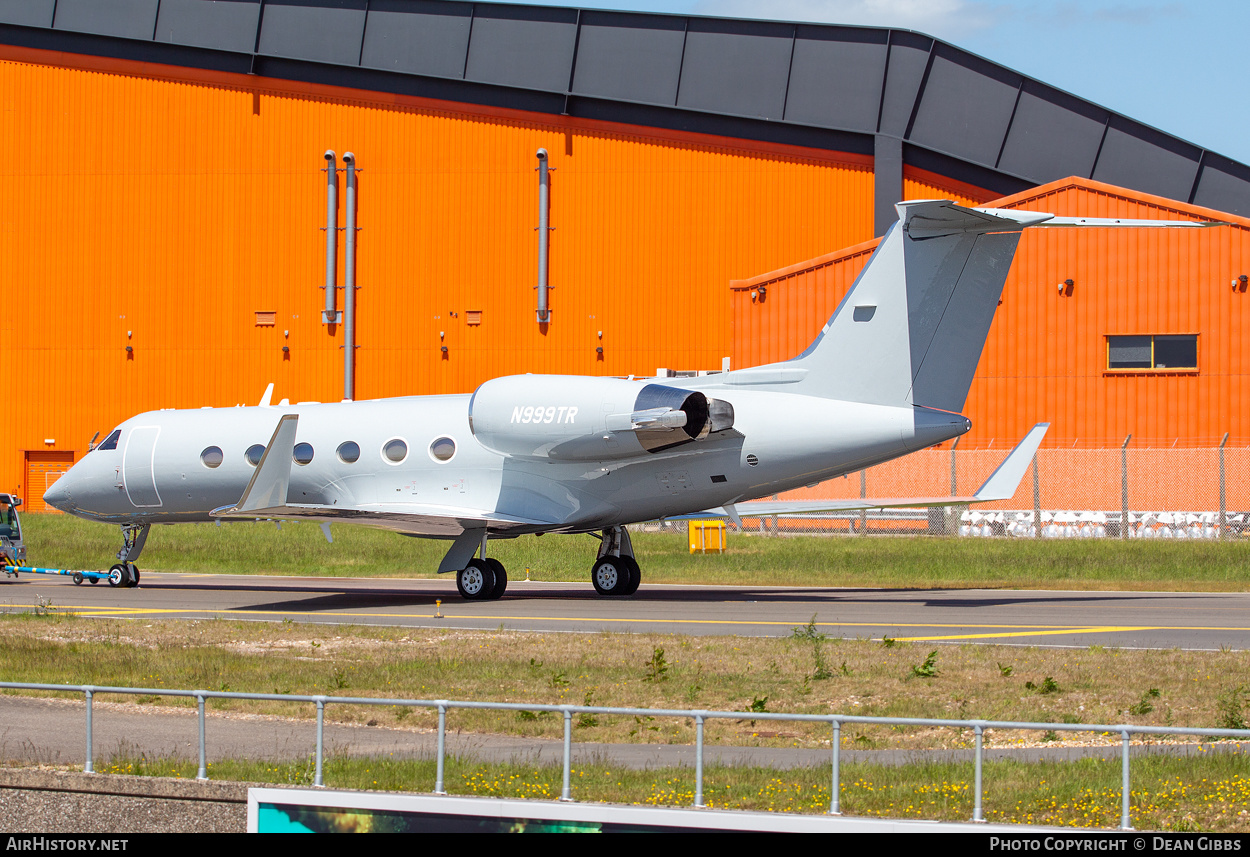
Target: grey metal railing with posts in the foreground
(836, 721)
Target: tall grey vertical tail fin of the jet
(912, 329)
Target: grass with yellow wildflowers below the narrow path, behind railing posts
(1211, 793)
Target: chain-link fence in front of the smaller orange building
(1129, 490)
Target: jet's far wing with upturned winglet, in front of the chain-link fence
(1002, 485)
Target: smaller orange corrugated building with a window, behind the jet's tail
(1047, 355)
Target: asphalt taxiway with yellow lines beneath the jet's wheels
(1143, 620)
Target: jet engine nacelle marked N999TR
(571, 418)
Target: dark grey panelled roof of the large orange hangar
(899, 96)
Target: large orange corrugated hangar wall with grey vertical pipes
(164, 243)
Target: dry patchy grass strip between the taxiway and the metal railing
(799, 675)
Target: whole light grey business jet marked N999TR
(539, 454)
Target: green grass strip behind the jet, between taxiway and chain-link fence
(301, 549)
